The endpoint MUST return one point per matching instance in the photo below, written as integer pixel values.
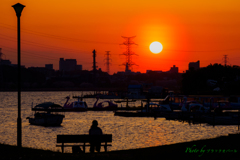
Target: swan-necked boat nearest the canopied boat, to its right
(76, 106)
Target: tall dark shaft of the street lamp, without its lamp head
(19, 120)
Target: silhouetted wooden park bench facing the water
(85, 139)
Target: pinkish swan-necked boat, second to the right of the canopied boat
(100, 106)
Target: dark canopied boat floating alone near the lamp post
(47, 114)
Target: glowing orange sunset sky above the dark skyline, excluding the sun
(188, 30)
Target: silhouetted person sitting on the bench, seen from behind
(95, 130)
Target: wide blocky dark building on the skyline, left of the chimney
(69, 65)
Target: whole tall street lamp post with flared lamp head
(18, 9)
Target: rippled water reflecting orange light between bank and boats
(128, 132)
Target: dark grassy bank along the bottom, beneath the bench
(213, 150)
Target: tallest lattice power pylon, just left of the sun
(129, 63)
